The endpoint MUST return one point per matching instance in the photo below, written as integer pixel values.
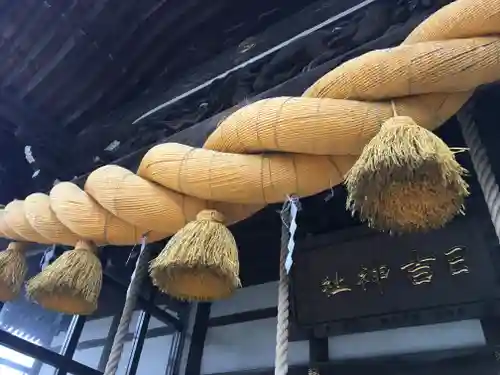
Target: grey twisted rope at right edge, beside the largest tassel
(482, 166)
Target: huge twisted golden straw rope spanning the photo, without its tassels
(318, 137)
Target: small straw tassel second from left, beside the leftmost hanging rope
(71, 284)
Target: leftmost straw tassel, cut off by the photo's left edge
(13, 270)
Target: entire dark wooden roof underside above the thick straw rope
(74, 75)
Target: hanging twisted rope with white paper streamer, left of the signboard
(281, 359)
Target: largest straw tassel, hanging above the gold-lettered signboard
(406, 179)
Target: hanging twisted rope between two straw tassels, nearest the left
(133, 291)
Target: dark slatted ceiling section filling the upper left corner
(78, 60)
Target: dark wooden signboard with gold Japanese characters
(358, 276)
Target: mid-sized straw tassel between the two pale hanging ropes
(200, 262)
